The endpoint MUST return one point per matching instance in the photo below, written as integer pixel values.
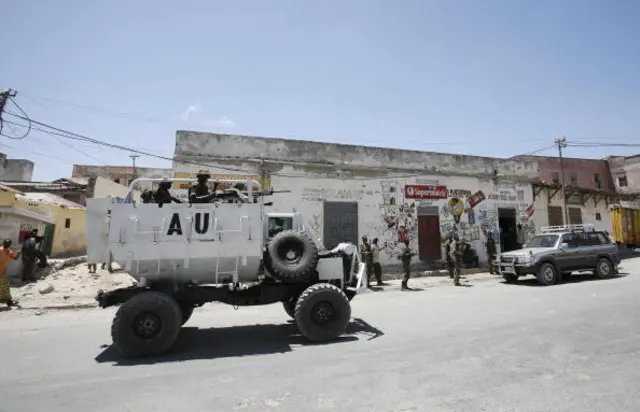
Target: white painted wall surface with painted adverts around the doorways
(375, 210)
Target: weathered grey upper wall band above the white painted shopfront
(321, 159)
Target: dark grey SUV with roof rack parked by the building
(558, 251)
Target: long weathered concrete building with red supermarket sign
(346, 191)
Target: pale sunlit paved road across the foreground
(488, 347)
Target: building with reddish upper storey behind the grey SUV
(589, 190)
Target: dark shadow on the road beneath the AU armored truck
(195, 343)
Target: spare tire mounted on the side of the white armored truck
(293, 256)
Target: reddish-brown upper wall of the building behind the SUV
(584, 170)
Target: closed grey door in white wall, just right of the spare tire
(340, 223)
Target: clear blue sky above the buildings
(498, 78)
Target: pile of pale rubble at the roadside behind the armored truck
(67, 283)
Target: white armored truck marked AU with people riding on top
(229, 250)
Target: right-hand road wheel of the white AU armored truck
(322, 312)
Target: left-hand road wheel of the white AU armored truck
(147, 324)
